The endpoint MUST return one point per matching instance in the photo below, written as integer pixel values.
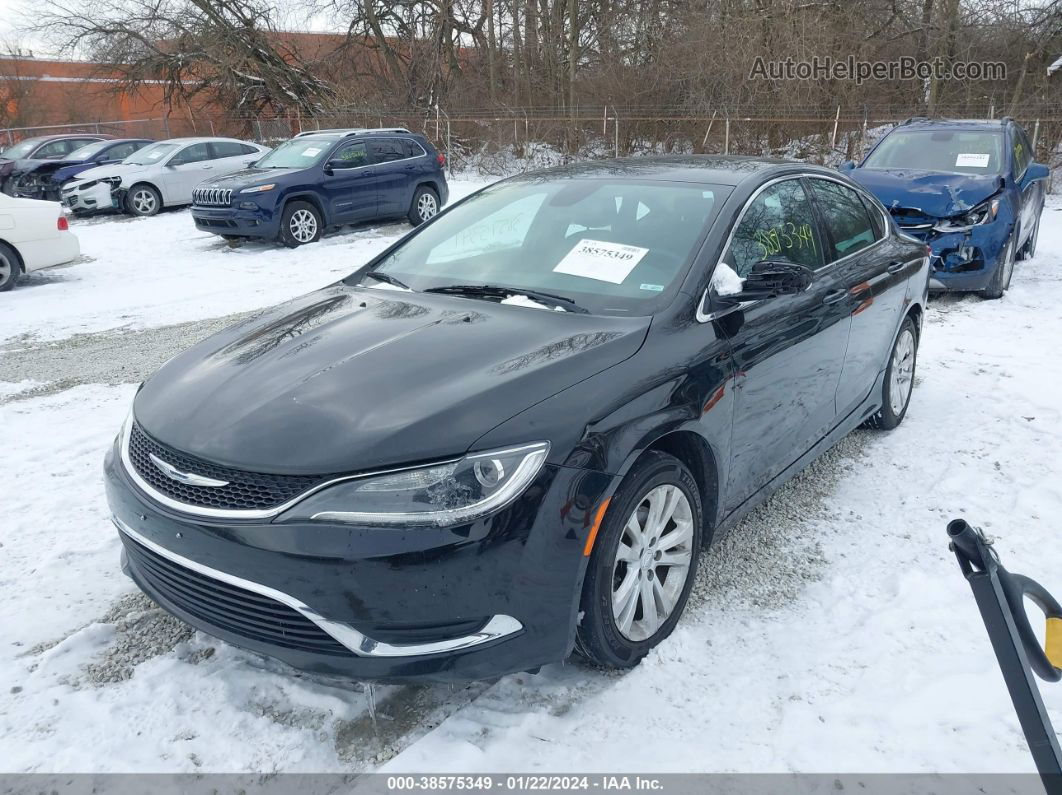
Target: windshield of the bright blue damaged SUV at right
(955, 152)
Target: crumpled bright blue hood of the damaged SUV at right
(934, 194)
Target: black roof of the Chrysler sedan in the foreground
(730, 170)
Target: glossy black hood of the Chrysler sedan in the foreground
(353, 379)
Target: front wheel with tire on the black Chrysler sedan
(621, 640)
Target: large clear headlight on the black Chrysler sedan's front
(442, 495)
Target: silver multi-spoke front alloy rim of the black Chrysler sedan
(653, 563)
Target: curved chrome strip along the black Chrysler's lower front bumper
(499, 627)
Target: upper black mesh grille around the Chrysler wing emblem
(244, 491)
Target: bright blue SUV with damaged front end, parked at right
(969, 189)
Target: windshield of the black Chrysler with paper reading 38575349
(612, 247)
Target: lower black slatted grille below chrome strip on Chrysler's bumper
(229, 608)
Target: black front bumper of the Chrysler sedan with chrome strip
(443, 604)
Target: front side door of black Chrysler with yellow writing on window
(789, 351)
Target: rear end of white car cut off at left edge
(33, 235)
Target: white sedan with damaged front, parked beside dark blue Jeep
(160, 176)
